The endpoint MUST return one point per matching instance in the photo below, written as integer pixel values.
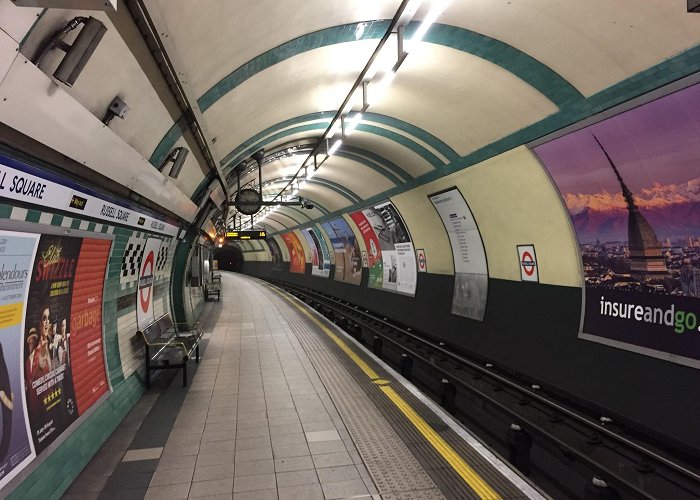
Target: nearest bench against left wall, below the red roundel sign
(169, 346)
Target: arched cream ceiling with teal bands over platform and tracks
(488, 76)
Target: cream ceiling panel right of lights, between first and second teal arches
(462, 99)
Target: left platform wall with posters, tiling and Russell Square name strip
(67, 274)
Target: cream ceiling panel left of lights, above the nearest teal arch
(217, 37)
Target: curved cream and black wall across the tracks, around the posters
(530, 328)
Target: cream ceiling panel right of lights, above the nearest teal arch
(592, 44)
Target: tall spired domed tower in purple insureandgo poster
(646, 260)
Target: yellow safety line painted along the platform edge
(468, 474)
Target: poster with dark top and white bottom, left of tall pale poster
(399, 272)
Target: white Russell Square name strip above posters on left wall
(20, 185)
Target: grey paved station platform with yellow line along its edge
(283, 404)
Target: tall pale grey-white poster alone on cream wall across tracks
(471, 271)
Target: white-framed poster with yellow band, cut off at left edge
(16, 258)
